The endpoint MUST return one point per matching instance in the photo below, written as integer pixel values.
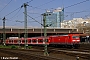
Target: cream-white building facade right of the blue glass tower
(74, 22)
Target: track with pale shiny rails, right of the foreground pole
(84, 55)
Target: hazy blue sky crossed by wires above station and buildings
(12, 11)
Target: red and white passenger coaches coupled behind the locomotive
(29, 41)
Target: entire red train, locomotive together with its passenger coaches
(71, 40)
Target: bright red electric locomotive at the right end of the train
(70, 40)
